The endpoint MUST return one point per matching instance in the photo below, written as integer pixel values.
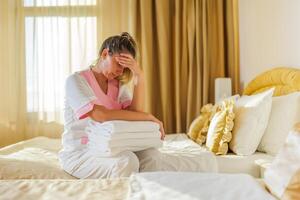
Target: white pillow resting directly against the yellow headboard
(285, 113)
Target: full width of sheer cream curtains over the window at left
(42, 42)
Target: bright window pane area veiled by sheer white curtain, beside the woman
(60, 38)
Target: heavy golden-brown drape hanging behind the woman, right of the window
(184, 46)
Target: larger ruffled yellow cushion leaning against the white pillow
(220, 127)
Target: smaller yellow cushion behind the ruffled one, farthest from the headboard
(198, 128)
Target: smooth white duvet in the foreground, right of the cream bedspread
(195, 186)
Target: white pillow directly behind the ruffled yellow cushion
(251, 118)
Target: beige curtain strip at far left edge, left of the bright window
(12, 79)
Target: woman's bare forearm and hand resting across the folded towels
(100, 114)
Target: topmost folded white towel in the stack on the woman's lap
(120, 126)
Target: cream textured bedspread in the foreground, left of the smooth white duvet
(104, 189)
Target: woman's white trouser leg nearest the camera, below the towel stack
(84, 165)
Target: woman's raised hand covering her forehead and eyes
(126, 60)
